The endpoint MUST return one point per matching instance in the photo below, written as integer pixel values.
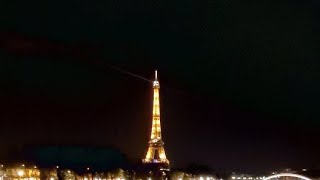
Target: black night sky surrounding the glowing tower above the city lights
(239, 79)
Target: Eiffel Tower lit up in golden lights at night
(156, 154)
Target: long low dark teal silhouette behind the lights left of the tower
(79, 158)
